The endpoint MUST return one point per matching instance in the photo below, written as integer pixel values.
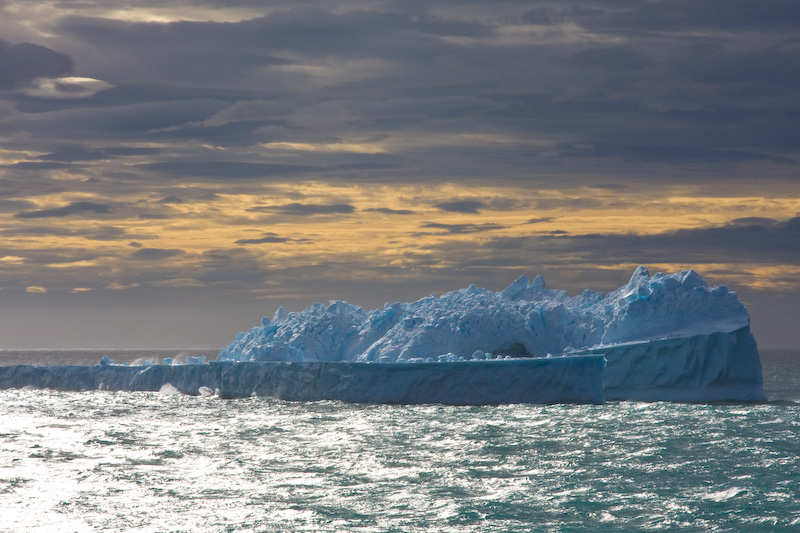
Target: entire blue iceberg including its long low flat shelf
(666, 337)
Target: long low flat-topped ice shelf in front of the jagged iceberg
(575, 379)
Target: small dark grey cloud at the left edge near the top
(21, 63)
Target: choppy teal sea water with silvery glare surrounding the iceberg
(136, 461)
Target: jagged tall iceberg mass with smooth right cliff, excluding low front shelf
(665, 337)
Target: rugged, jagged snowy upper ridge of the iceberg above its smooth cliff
(525, 319)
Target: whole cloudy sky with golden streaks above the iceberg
(173, 170)
